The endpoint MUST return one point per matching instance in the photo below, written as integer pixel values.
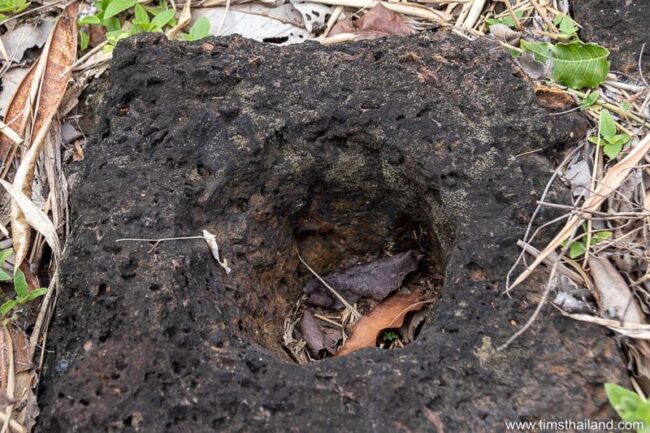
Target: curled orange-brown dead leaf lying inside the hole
(389, 314)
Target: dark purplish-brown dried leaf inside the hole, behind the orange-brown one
(370, 280)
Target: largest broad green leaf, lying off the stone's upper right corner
(574, 64)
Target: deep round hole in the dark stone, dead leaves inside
(376, 248)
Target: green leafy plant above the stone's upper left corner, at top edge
(124, 18)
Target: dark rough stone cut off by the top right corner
(619, 25)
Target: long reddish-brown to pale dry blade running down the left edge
(58, 55)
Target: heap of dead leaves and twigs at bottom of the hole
(328, 328)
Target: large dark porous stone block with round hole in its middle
(337, 153)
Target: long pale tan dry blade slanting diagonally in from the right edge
(612, 180)
